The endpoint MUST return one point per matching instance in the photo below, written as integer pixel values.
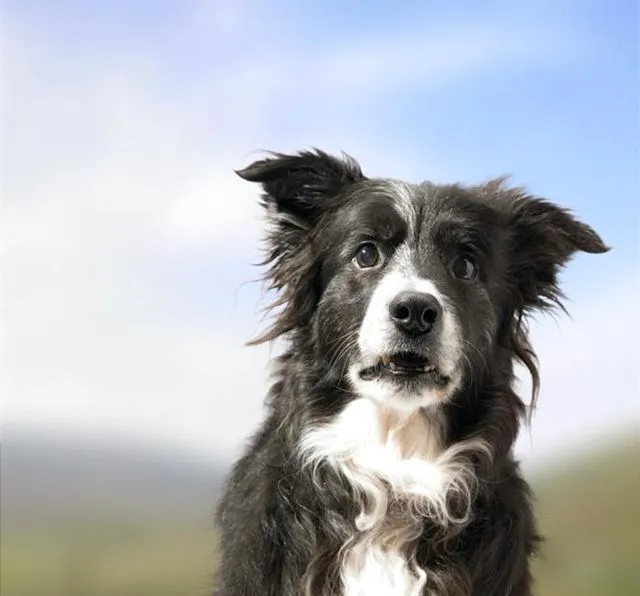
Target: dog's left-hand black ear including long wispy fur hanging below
(298, 189)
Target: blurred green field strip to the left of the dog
(121, 558)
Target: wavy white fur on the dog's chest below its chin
(389, 457)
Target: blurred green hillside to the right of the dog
(590, 513)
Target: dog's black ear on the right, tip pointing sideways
(544, 237)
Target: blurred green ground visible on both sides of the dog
(590, 512)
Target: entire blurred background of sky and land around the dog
(128, 243)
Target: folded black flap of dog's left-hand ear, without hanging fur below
(297, 186)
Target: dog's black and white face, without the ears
(411, 267)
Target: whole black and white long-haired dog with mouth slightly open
(384, 464)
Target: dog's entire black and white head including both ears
(408, 290)
